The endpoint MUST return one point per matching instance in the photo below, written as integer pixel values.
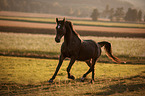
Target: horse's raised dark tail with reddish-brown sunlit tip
(108, 49)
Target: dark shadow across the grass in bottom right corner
(131, 84)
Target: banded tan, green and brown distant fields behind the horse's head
(45, 24)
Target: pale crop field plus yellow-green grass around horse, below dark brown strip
(29, 76)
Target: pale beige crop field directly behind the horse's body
(45, 46)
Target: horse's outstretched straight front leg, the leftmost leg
(61, 58)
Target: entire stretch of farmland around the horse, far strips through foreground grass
(27, 61)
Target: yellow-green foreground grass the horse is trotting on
(27, 76)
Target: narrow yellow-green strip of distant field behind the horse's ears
(75, 22)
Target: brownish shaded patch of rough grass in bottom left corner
(33, 89)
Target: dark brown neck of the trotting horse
(71, 38)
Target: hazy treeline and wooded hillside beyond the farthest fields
(55, 7)
